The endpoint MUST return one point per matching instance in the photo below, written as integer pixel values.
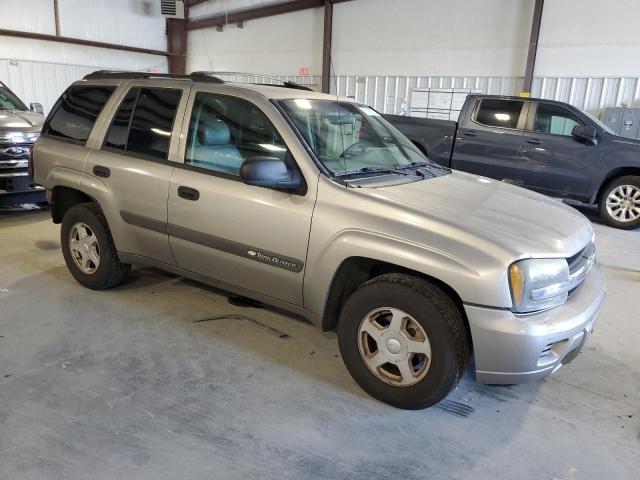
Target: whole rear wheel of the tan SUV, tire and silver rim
(102, 271)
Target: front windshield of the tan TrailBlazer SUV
(347, 137)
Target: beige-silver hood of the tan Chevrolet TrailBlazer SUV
(522, 222)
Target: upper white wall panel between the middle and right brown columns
(418, 37)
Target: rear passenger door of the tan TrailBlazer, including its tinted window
(132, 168)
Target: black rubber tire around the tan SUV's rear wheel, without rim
(85, 213)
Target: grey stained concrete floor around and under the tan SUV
(129, 384)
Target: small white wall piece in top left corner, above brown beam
(28, 16)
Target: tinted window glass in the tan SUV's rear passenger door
(144, 122)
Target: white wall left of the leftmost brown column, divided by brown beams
(39, 70)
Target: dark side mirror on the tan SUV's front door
(269, 172)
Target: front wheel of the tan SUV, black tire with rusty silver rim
(418, 302)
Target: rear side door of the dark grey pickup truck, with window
(488, 143)
